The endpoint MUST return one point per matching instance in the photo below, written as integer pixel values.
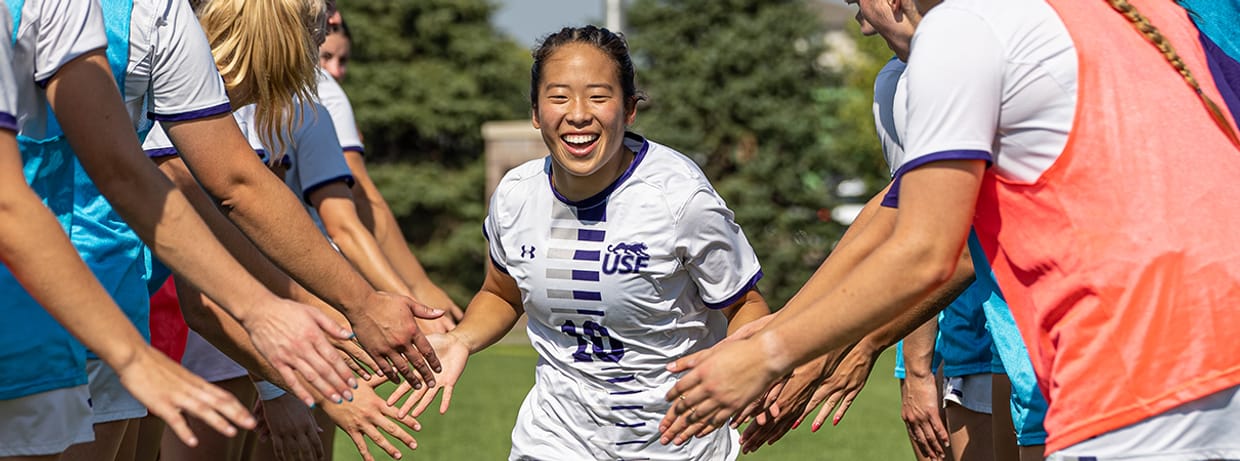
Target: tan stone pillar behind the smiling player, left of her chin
(509, 143)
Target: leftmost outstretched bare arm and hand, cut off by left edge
(34, 247)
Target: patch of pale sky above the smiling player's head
(529, 20)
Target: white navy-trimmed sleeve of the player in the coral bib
(990, 81)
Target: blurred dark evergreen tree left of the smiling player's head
(425, 76)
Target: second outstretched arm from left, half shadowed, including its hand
(90, 110)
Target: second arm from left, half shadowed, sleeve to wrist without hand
(92, 116)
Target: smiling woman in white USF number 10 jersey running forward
(623, 256)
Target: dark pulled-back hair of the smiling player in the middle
(612, 44)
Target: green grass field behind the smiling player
(490, 392)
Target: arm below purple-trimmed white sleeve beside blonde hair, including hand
(265, 209)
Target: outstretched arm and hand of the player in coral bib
(937, 208)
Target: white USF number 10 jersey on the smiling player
(616, 287)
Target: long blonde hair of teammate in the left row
(268, 50)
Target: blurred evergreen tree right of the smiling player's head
(738, 86)
